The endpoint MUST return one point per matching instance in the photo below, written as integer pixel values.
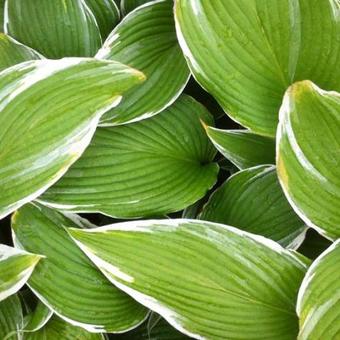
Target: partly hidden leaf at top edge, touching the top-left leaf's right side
(106, 13)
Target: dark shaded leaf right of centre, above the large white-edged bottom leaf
(253, 200)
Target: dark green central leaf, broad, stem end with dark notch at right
(149, 168)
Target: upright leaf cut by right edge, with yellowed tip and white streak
(308, 155)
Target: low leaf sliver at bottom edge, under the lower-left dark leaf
(56, 328)
